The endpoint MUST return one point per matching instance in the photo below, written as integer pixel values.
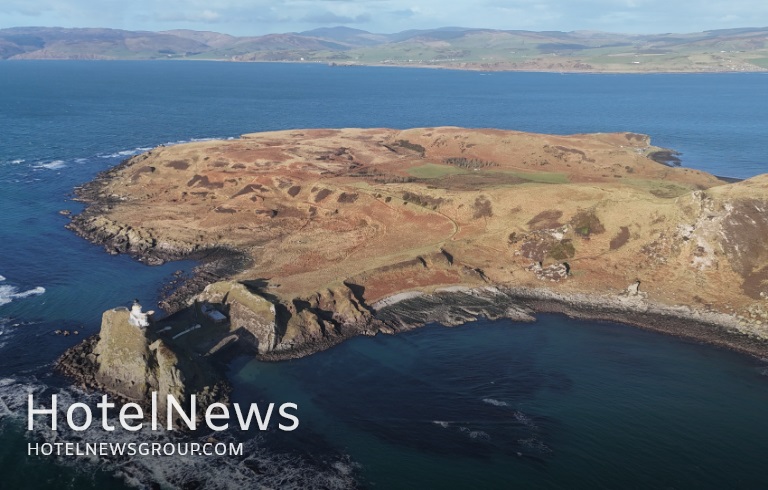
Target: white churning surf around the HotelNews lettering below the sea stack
(257, 467)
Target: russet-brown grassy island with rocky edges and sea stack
(309, 237)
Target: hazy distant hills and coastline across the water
(743, 49)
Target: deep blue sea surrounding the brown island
(558, 403)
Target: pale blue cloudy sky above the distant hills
(257, 17)
